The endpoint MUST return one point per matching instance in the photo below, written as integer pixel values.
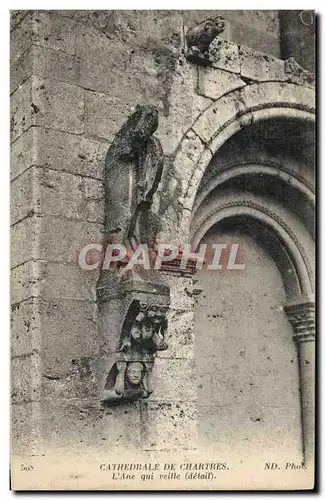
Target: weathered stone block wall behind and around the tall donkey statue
(75, 77)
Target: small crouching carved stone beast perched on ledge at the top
(200, 37)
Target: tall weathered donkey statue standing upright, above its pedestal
(133, 169)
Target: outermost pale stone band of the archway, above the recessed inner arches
(223, 119)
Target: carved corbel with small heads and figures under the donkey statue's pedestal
(143, 334)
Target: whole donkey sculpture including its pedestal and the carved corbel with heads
(133, 169)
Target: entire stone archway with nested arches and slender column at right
(207, 196)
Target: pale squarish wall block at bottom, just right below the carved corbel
(167, 426)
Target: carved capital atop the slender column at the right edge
(301, 314)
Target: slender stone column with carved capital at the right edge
(301, 314)
